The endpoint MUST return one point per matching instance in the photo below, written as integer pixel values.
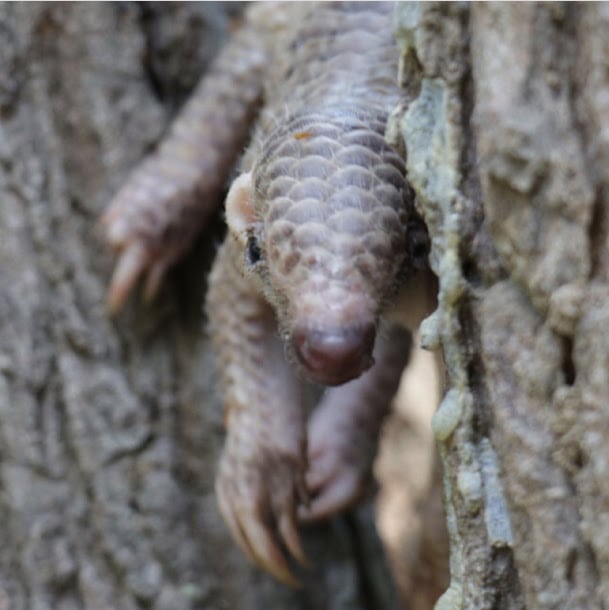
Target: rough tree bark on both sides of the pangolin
(110, 430)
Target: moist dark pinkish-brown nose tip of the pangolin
(332, 356)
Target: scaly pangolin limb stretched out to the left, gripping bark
(155, 216)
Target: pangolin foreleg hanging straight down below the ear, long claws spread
(260, 480)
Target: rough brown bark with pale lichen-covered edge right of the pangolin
(507, 149)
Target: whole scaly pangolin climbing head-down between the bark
(321, 233)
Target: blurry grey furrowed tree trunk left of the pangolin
(110, 429)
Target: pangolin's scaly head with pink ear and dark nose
(326, 229)
